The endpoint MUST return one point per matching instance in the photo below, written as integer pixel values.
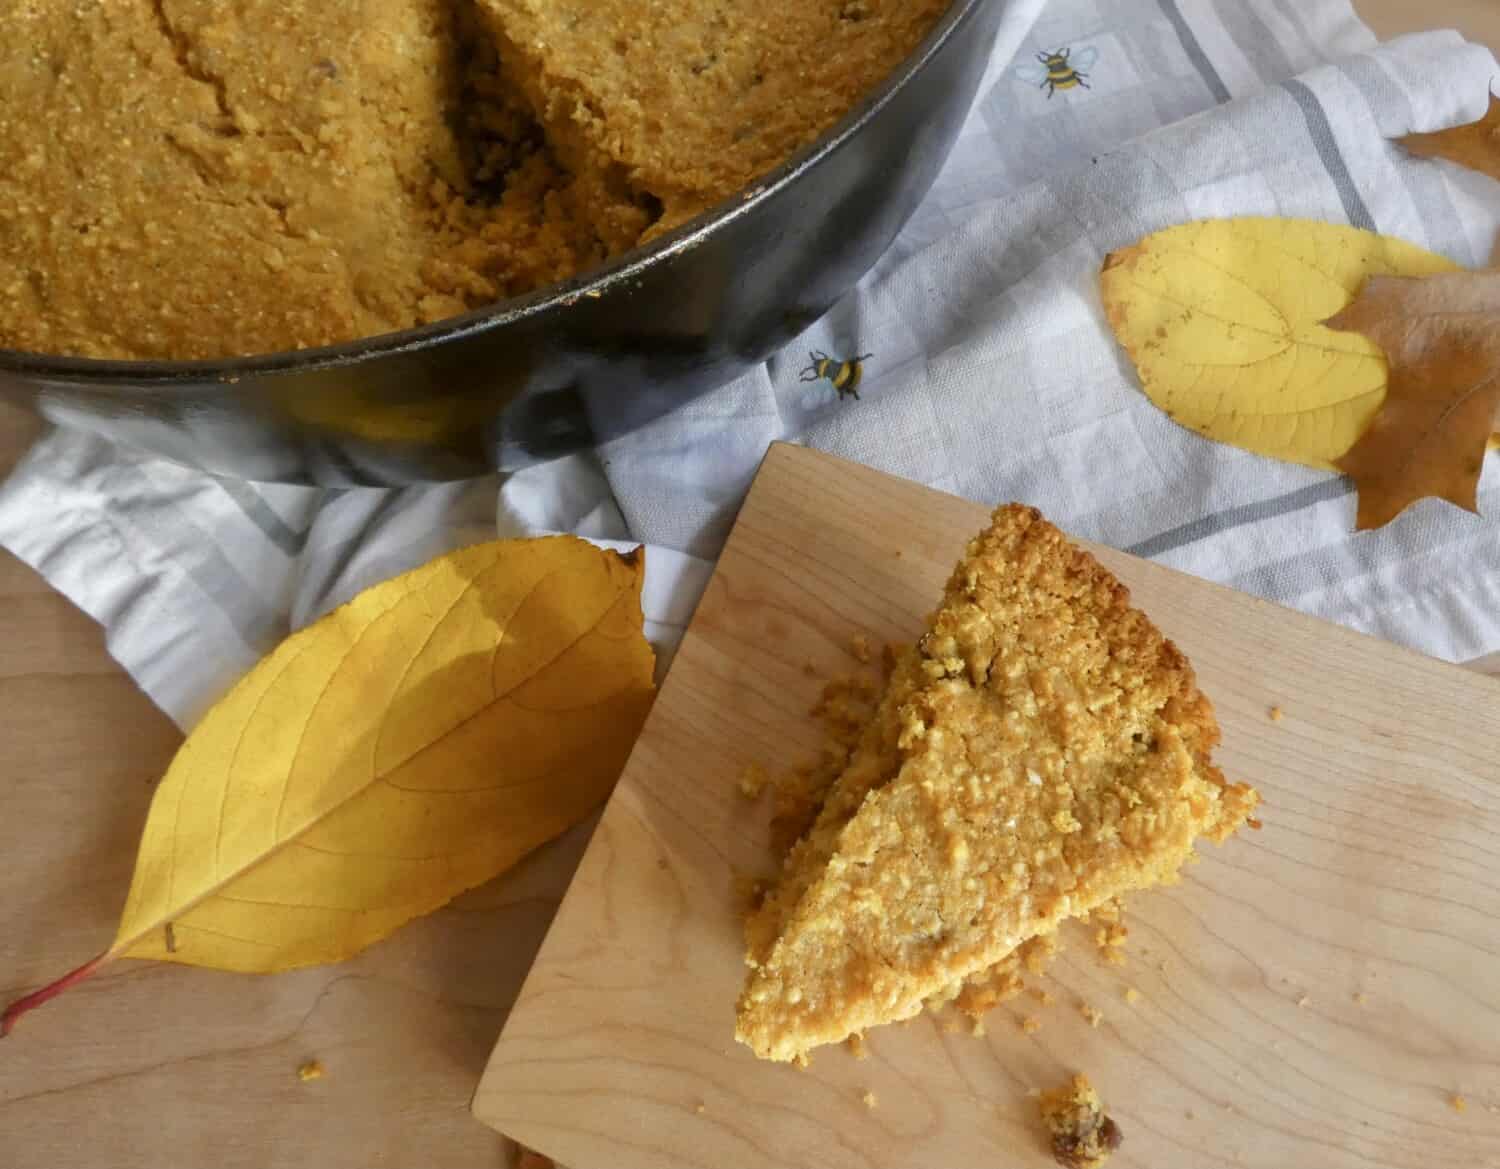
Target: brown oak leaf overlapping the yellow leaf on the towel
(1442, 338)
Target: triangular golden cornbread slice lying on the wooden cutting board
(1043, 751)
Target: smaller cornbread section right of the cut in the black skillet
(688, 101)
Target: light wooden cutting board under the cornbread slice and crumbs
(1316, 994)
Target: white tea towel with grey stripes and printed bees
(992, 373)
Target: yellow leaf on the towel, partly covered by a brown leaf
(1223, 320)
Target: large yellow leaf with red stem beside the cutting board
(409, 747)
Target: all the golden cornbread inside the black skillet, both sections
(188, 179)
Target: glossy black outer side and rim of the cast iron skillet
(575, 364)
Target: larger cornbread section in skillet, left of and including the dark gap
(194, 179)
